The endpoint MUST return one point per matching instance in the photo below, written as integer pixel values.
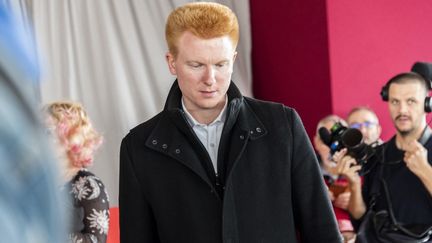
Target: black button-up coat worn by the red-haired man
(271, 191)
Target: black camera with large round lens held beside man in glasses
(341, 137)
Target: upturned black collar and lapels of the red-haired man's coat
(174, 137)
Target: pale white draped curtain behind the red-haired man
(110, 56)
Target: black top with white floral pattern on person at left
(89, 208)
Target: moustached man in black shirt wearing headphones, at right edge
(400, 170)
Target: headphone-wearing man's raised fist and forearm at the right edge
(416, 160)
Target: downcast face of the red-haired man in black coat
(203, 68)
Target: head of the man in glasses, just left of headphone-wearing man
(367, 123)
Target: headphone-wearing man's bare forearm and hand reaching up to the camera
(347, 166)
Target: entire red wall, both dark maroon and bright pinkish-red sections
(324, 57)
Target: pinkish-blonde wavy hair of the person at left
(74, 131)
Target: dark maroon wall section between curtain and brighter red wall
(290, 56)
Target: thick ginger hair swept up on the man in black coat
(203, 19)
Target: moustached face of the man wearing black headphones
(406, 106)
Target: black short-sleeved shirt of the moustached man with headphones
(412, 203)
